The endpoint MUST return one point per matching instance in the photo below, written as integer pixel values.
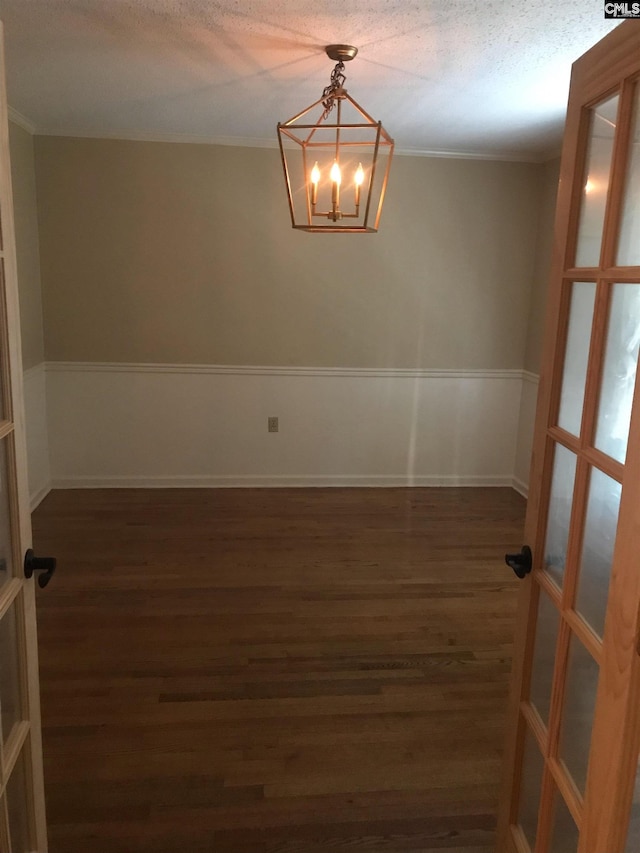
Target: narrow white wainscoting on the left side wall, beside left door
(35, 405)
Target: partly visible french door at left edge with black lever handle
(22, 816)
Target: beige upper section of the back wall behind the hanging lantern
(170, 253)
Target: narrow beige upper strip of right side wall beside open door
(535, 330)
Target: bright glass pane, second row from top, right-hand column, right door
(619, 372)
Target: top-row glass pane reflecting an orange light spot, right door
(594, 194)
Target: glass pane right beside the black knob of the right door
(560, 502)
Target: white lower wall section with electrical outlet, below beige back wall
(179, 425)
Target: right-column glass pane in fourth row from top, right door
(579, 705)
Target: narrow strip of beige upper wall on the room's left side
(26, 221)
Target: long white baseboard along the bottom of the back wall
(248, 481)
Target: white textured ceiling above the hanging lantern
(486, 77)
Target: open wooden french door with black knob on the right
(571, 782)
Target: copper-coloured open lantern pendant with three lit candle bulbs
(336, 165)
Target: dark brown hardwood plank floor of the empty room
(275, 671)
